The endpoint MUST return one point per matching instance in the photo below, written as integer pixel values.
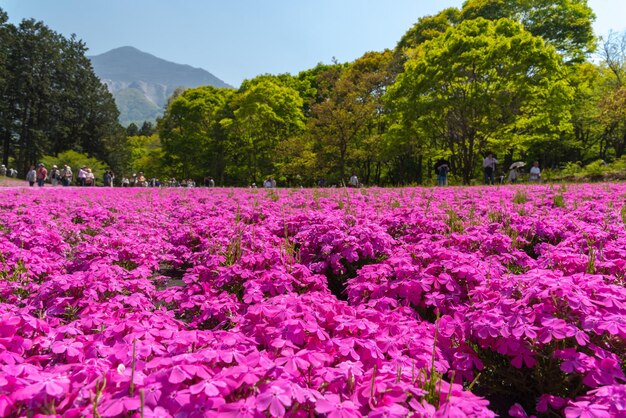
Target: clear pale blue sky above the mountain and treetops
(240, 39)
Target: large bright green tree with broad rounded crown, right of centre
(482, 84)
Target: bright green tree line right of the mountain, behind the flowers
(515, 78)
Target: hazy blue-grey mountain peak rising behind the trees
(141, 83)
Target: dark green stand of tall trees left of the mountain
(50, 99)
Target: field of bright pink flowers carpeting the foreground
(331, 303)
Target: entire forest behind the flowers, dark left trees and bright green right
(524, 79)
